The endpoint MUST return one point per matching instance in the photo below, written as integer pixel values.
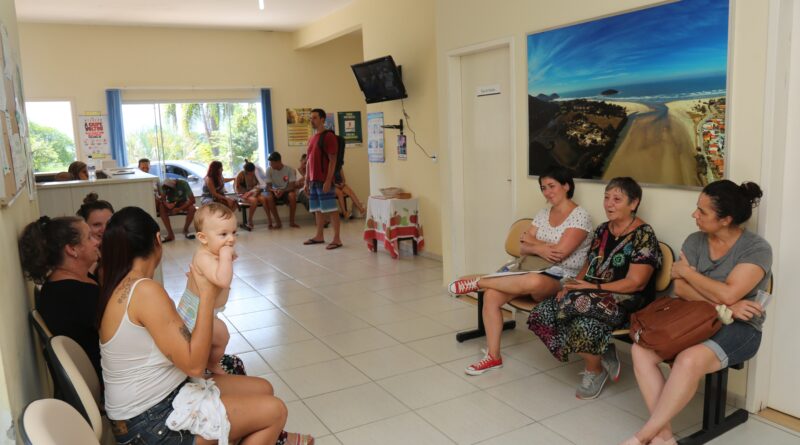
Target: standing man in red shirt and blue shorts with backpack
(322, 151)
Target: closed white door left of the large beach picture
(486, 141)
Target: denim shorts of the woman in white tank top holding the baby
(150, 427)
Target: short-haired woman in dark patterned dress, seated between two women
(617, 280)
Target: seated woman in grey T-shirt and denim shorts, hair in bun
(722, 264)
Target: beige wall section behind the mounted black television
(404, 30)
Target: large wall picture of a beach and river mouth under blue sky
(614, 97)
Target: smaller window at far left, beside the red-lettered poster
(52, 135)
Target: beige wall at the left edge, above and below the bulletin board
(20, 376)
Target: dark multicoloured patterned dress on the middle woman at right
(583, 320)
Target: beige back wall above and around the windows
(79, 63)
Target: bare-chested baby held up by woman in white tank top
(212, 268)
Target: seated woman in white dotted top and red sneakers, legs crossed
(558, 233)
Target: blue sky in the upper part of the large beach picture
(683, 40)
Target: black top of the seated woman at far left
(69, 307)
